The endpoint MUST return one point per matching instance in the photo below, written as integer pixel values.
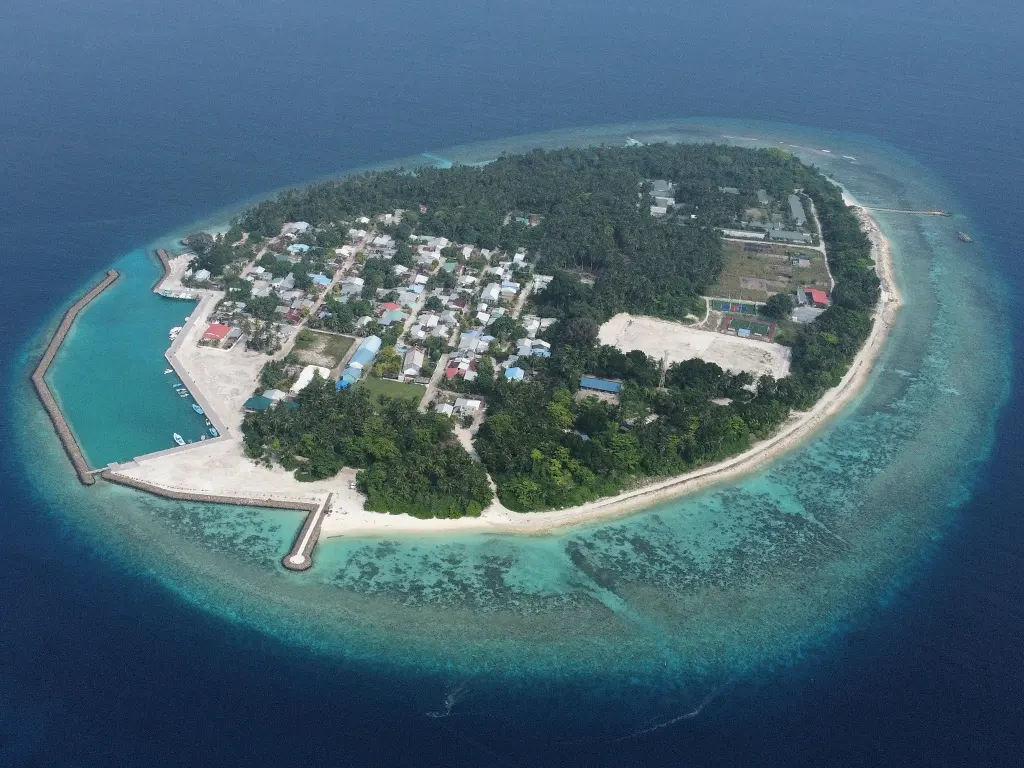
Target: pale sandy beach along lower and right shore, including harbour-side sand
(223, 471)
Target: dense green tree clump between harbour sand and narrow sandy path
(410, 461)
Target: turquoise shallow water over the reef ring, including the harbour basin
(689, 595)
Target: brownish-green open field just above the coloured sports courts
(755, 275)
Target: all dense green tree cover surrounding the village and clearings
(544, 446)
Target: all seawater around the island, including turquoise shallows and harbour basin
(856, 604)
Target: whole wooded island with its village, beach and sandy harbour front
(541, 340)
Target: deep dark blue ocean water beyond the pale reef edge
(124, 122)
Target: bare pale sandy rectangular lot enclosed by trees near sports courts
(660, 338)
